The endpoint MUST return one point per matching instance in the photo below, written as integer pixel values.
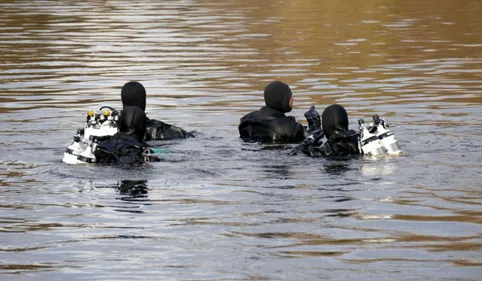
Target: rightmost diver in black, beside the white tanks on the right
(335, 139)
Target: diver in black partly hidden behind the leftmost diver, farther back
(134, 94)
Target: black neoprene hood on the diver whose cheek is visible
(277, 95)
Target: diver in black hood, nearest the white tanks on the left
(125, 147)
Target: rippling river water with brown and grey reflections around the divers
(218, 209)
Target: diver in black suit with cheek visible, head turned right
(269, 124)
